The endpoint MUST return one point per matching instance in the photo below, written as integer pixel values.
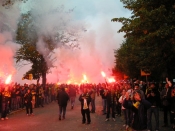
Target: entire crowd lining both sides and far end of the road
(136, 101)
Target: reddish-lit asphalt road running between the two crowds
(46, 119)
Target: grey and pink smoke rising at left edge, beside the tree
(8, 47)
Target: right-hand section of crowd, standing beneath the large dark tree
(138, 102)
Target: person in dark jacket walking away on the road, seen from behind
(62, 98)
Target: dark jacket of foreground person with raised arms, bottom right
(139, 118)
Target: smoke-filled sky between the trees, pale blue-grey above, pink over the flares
(91, 20)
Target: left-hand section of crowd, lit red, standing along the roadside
(14, 97)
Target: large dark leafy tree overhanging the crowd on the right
(150, 31)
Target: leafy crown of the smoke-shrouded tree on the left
(27, 36)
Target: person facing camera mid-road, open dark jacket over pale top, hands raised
(85, 100)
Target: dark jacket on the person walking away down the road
(62, 97)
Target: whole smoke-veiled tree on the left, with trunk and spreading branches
(28, 37)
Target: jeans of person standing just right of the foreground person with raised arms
(154, 110)
